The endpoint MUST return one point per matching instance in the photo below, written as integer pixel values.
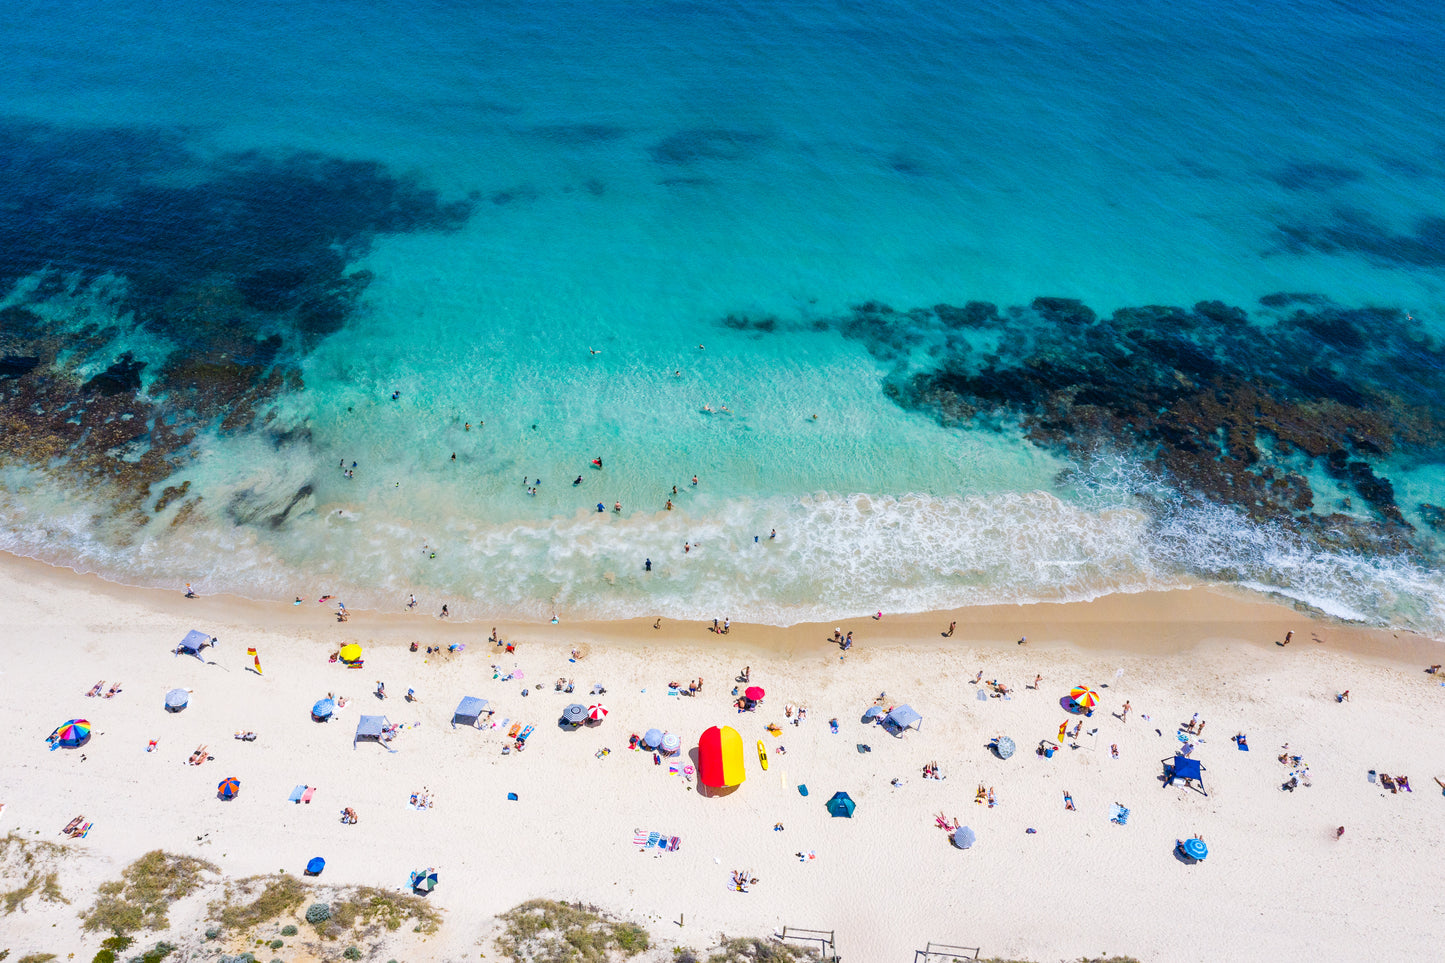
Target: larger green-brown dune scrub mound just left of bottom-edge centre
(550, 932)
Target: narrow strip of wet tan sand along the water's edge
(1155, 622)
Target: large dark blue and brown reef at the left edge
(229, 270)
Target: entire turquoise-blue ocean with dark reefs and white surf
(943, 304)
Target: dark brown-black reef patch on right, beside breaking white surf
(1233, 408)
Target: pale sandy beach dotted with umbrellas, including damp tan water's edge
(1277, 884)
